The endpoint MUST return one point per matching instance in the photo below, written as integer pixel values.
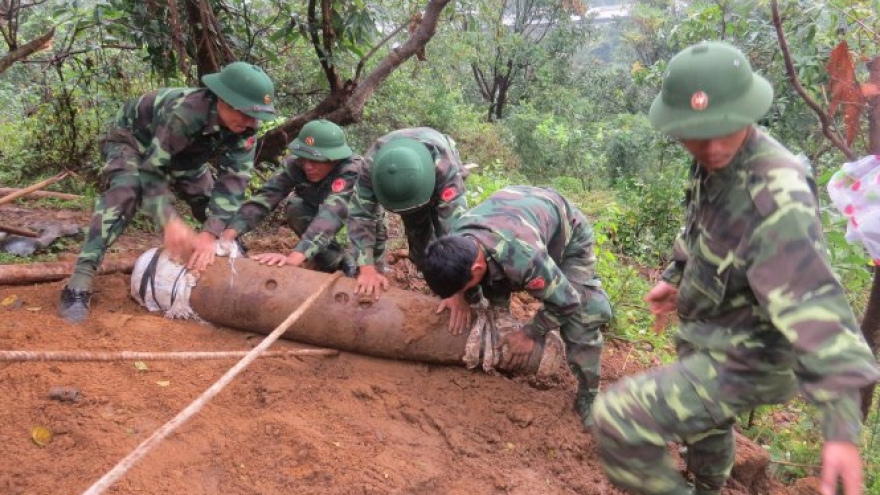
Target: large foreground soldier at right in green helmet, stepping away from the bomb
(760, 311)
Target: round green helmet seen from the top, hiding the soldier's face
(403, 175)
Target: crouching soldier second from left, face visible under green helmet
(322, 172)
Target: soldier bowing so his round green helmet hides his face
(416, 173)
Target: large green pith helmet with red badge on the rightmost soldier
(709, 90)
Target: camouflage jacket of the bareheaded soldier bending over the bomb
(525, 233)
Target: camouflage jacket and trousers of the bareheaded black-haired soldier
(537, 241)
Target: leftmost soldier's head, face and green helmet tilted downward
(246, 95)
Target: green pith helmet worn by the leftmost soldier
(244, 87)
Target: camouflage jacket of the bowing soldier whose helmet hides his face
(448, 200)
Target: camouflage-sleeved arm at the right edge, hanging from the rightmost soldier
(793, 281)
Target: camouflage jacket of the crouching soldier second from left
(330, 197)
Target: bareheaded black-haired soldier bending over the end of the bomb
(532, 239)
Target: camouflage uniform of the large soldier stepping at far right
(760, 313)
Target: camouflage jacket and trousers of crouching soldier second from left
(316, 211)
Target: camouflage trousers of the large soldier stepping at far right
(694, 401)
